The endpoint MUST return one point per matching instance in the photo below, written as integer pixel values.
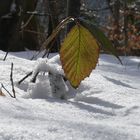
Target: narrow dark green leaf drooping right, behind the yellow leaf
(101, 37)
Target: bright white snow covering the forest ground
(106, 105)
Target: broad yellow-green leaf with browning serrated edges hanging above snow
(79, 54)
